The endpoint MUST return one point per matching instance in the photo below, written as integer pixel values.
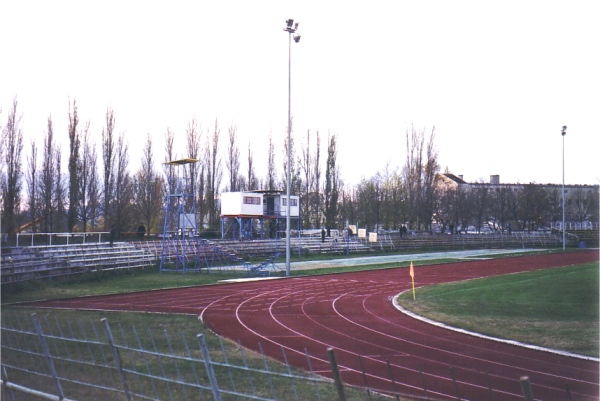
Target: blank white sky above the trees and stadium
(498, 80)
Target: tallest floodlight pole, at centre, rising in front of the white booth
(290, 28)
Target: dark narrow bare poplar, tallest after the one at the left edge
(74, 144)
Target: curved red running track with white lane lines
(353, 314)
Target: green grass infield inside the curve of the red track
(554, 308)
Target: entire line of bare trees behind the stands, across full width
(98, 190)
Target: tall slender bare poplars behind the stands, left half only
(98, 191)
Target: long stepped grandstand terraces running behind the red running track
(253, 256)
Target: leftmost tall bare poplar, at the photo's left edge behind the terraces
(12, 147)
